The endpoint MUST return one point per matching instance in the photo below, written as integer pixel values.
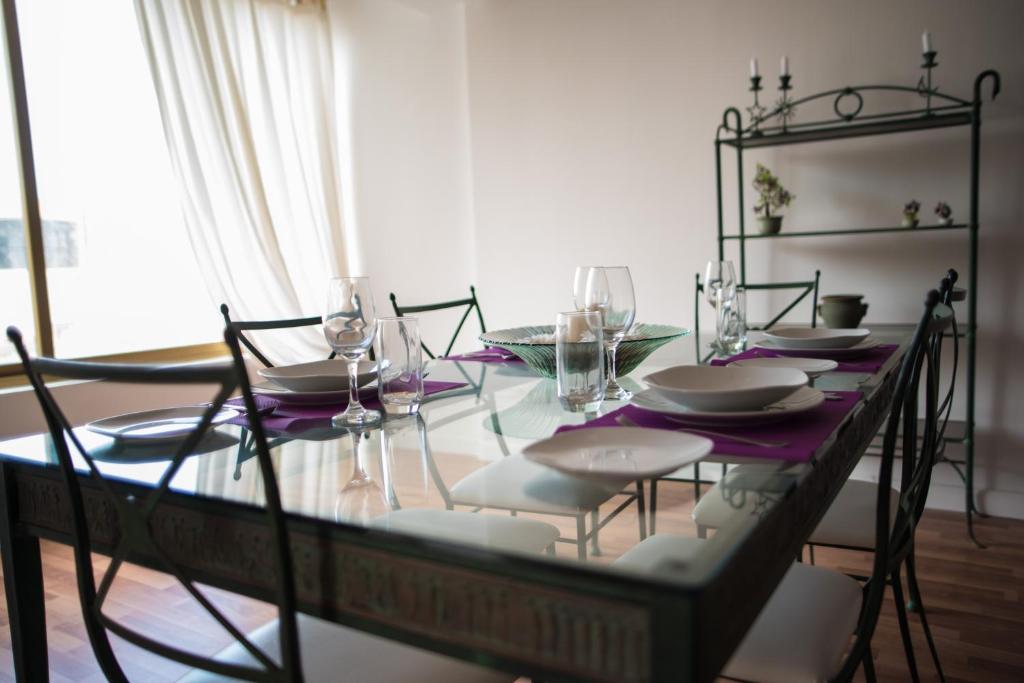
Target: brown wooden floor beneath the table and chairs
(975, 601)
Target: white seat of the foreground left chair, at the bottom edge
(333, 653)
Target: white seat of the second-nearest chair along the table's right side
(849, 522)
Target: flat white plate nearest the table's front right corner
(619, 453)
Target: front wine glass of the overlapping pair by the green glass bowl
(610, 291)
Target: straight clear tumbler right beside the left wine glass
(400, 363)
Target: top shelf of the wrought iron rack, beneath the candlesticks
(835, 132)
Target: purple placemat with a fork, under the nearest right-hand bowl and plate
(803, 434)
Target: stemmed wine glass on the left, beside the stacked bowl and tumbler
(350, 326)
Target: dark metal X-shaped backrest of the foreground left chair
(136, 513)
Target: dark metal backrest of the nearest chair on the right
(919, 449)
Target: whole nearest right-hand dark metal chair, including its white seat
(819, 604)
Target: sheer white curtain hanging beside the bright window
(246, 92)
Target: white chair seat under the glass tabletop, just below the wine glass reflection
(493, 532)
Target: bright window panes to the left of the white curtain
(120, 270)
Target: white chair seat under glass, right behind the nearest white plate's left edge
(517, 484)
